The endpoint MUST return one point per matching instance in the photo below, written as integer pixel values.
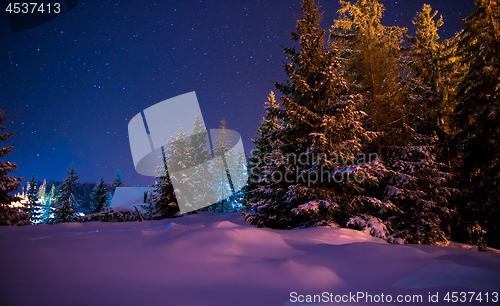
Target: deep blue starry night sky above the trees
(71, 85)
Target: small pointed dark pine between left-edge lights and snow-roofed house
(67, 201)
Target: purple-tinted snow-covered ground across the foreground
(218, 259)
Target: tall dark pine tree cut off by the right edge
(477, 116)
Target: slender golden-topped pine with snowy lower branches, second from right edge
(419, 184)
